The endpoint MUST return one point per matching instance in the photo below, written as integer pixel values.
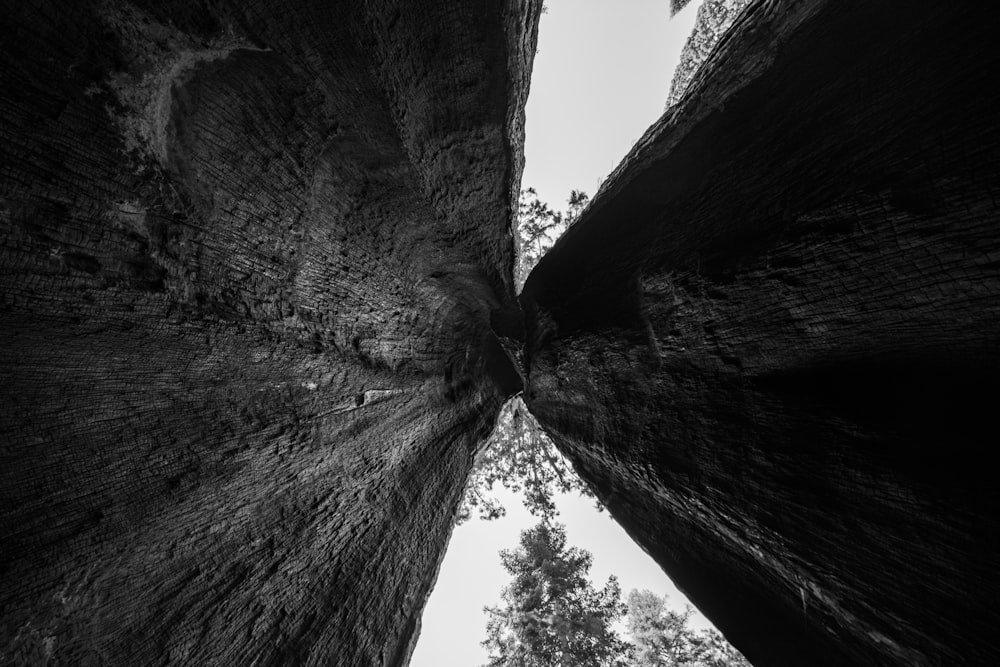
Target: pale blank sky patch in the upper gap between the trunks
(601, 77)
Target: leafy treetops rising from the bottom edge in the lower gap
(551, 615)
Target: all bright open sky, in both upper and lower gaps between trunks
(601, 77)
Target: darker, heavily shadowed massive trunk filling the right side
(771, 342)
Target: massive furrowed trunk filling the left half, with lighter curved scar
(251, 254)
